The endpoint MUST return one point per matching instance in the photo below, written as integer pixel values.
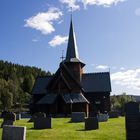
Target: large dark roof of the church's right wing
(96, 82)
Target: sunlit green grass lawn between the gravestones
(114, 129)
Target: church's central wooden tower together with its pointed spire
(72, 62)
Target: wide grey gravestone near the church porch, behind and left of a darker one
(78, 116)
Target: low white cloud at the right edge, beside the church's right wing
(129, 78)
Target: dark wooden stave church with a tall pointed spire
(70, 89)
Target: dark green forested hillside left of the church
(16, 83)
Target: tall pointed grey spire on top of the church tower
(72, 50)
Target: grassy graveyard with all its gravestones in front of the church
(77, 126)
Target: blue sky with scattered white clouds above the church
(35, 32)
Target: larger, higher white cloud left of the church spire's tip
(43, 21)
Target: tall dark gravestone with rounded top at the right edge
(132, 121)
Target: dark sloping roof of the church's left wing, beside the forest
(40, 86)
